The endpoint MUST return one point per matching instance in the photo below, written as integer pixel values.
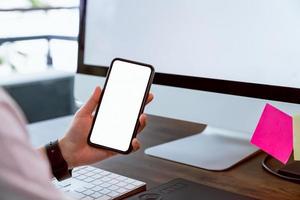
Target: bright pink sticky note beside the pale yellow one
(274, 133)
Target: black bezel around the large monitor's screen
(262, 91)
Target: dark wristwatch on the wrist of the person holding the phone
(58, 164)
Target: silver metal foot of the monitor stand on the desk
(213, 149)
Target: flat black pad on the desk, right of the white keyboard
(181, 189)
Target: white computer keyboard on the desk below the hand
(93, 183)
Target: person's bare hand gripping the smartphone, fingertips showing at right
(74, 146)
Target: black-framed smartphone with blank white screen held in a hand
(122, 101)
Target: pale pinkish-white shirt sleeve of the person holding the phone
(24, 173)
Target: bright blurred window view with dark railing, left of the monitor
(37, 35)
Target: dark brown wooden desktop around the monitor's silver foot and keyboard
(248, 178)
